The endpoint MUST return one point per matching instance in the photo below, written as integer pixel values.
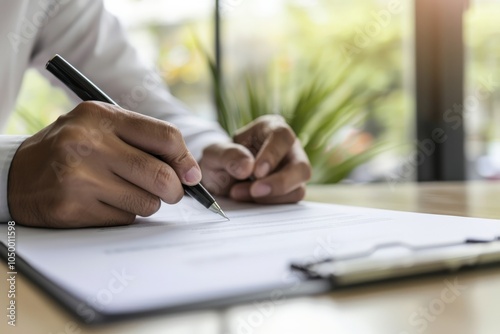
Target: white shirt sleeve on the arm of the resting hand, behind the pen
(89, 37)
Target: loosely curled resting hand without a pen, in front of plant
(267, 151)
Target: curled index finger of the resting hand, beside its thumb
(273, 151)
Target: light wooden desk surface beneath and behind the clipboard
(395, 308)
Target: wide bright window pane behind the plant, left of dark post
(282, 39)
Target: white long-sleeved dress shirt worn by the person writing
(89, 37)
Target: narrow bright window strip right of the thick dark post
(482, 94)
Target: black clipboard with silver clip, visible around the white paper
(317, 277)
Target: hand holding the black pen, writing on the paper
(96, 166)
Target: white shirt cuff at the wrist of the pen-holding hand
(8, 147)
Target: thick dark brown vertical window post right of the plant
(439, 88)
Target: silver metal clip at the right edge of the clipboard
(367, 267)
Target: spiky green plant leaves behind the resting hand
(317, 108)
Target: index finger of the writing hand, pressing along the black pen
(154, 136)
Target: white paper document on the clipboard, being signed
(186, 255)
